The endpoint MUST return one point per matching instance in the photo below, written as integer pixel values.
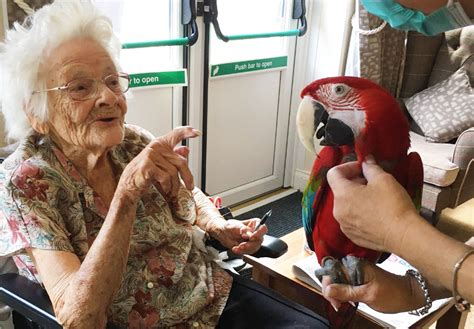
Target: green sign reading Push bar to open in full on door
(248, 66)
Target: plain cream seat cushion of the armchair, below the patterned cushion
(438, 167)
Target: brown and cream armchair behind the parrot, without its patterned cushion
(448, 166)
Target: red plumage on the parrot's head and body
(385, 136)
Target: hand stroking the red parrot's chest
(375, 212)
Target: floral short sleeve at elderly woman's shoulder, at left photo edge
(28, 216)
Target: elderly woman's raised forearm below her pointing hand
(90, 291)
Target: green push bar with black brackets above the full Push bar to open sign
(299, 12)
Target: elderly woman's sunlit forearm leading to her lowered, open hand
(207, 214)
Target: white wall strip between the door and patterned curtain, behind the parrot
(326, 49)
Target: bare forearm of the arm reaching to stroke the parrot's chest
(434, 254)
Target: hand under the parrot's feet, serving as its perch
(383, 291)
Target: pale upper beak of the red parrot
(305, 123)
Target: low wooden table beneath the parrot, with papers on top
(277, 274)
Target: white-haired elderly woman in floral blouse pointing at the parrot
(94, 209)
